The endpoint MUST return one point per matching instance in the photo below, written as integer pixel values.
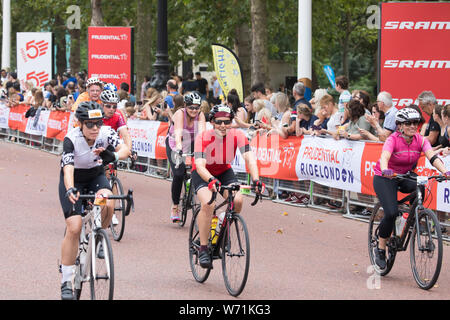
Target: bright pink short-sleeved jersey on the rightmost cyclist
(404, 156)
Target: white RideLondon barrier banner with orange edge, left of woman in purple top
(148, 138)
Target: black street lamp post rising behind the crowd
(162, 64)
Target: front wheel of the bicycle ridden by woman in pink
(426, 249)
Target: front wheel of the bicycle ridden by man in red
(235, 255)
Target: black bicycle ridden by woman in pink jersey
(422, 228)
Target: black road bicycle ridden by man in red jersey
(232, 244)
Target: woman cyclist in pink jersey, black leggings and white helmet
(400, 154)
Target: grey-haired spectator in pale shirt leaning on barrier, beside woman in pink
(384, 101)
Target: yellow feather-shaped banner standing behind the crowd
(228, 70)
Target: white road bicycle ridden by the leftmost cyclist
(90, 264)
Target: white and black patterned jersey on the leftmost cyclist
(78, 153)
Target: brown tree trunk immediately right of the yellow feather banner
(243, 48)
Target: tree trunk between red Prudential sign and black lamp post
(143, 43)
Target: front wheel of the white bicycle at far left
(102, 271)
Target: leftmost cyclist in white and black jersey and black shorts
(84, 155)
